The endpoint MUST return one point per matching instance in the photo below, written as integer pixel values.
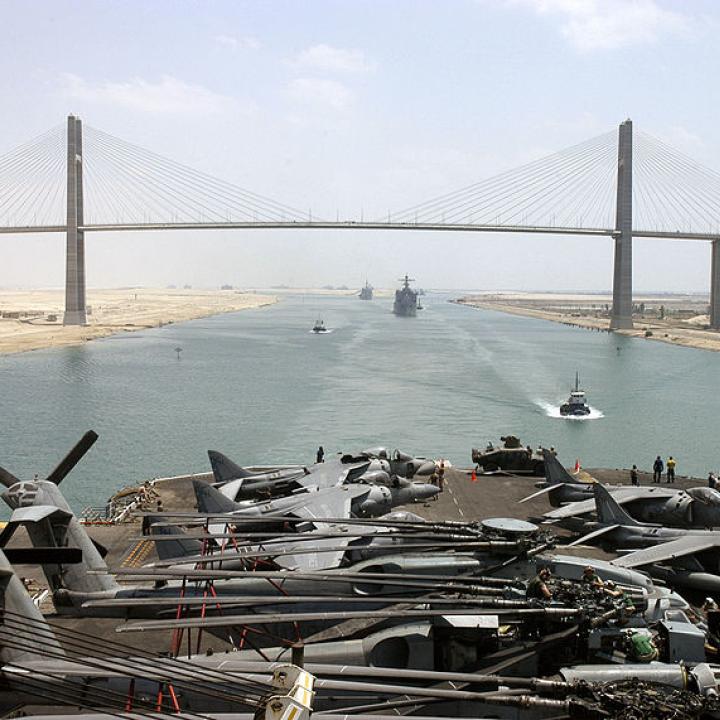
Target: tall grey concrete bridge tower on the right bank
(621, 317)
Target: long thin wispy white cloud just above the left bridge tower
(167, 95)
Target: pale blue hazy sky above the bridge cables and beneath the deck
(349, 108)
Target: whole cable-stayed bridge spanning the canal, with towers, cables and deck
(621, 184)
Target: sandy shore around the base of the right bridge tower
(684, 325)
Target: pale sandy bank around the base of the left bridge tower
(112, 311)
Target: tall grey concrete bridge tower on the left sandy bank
(75, 313)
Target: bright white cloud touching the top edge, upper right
(606, 24)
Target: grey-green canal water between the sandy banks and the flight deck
(258, 386)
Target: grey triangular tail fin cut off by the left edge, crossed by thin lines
(22, 625)
